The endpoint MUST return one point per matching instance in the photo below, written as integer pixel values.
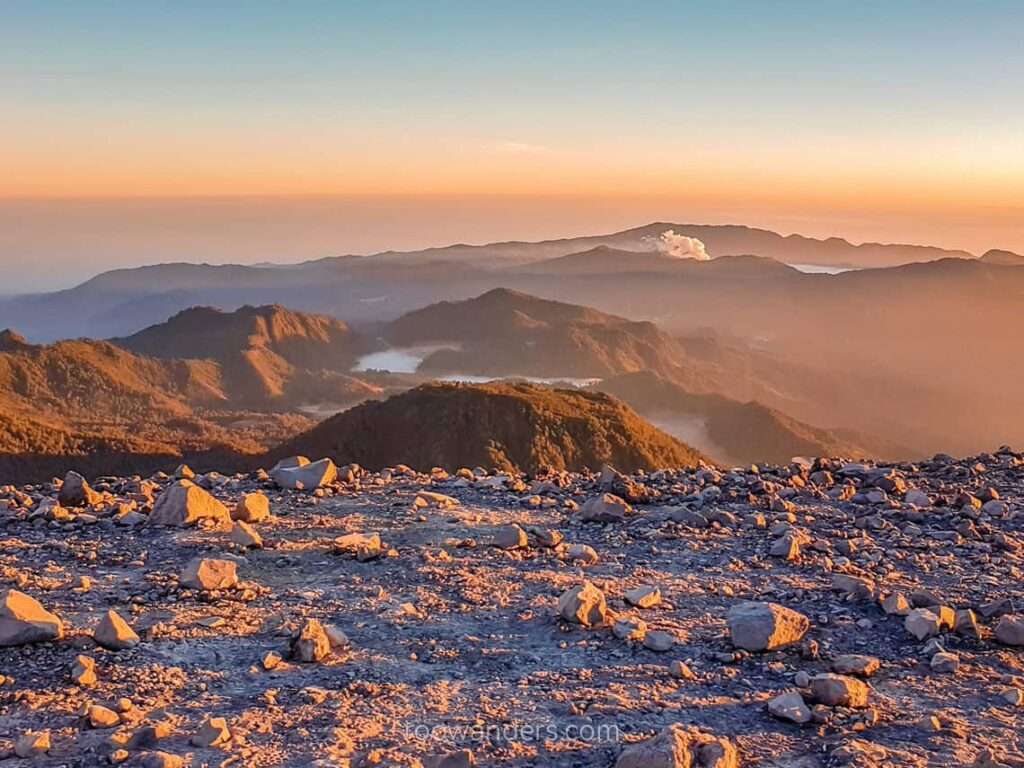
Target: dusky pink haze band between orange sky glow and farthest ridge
(55, 244)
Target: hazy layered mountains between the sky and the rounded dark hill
(900, 362)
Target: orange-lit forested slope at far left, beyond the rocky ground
(94, 407)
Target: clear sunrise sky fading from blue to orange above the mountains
(317, 129)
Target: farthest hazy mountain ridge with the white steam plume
(385, 286)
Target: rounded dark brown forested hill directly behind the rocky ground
(501, 425)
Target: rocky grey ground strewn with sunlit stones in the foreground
(813, 615)
